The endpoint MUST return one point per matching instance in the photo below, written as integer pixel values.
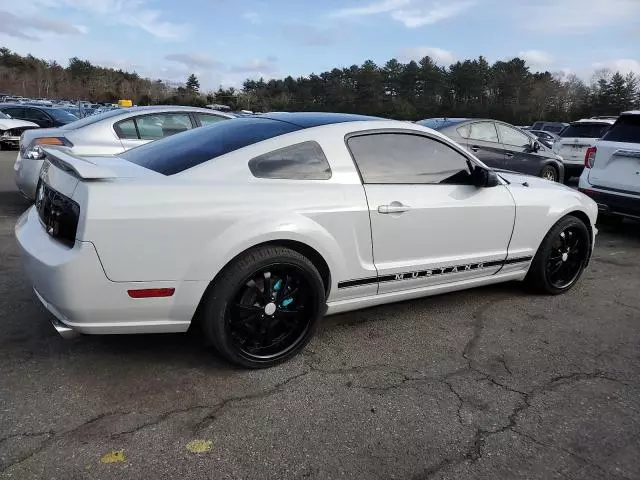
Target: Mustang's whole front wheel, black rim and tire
(561, 257)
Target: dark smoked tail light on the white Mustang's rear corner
(58, 213)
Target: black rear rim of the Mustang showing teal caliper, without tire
(271, 311)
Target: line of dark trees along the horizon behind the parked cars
(506, 90)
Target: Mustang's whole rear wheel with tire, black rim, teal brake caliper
(264, 307)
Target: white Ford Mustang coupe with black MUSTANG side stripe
(255, 228)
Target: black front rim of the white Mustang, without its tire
(567, 257)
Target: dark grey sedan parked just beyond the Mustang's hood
(500, 145)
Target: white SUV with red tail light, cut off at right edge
(612, 169)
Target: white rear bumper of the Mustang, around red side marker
(72, 286)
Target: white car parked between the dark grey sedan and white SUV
(575, 140)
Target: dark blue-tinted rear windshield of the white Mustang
(180, 152)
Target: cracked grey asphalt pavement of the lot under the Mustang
(488, 383)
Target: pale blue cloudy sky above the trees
(226, 41)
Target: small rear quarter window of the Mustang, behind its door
(304, 161)
